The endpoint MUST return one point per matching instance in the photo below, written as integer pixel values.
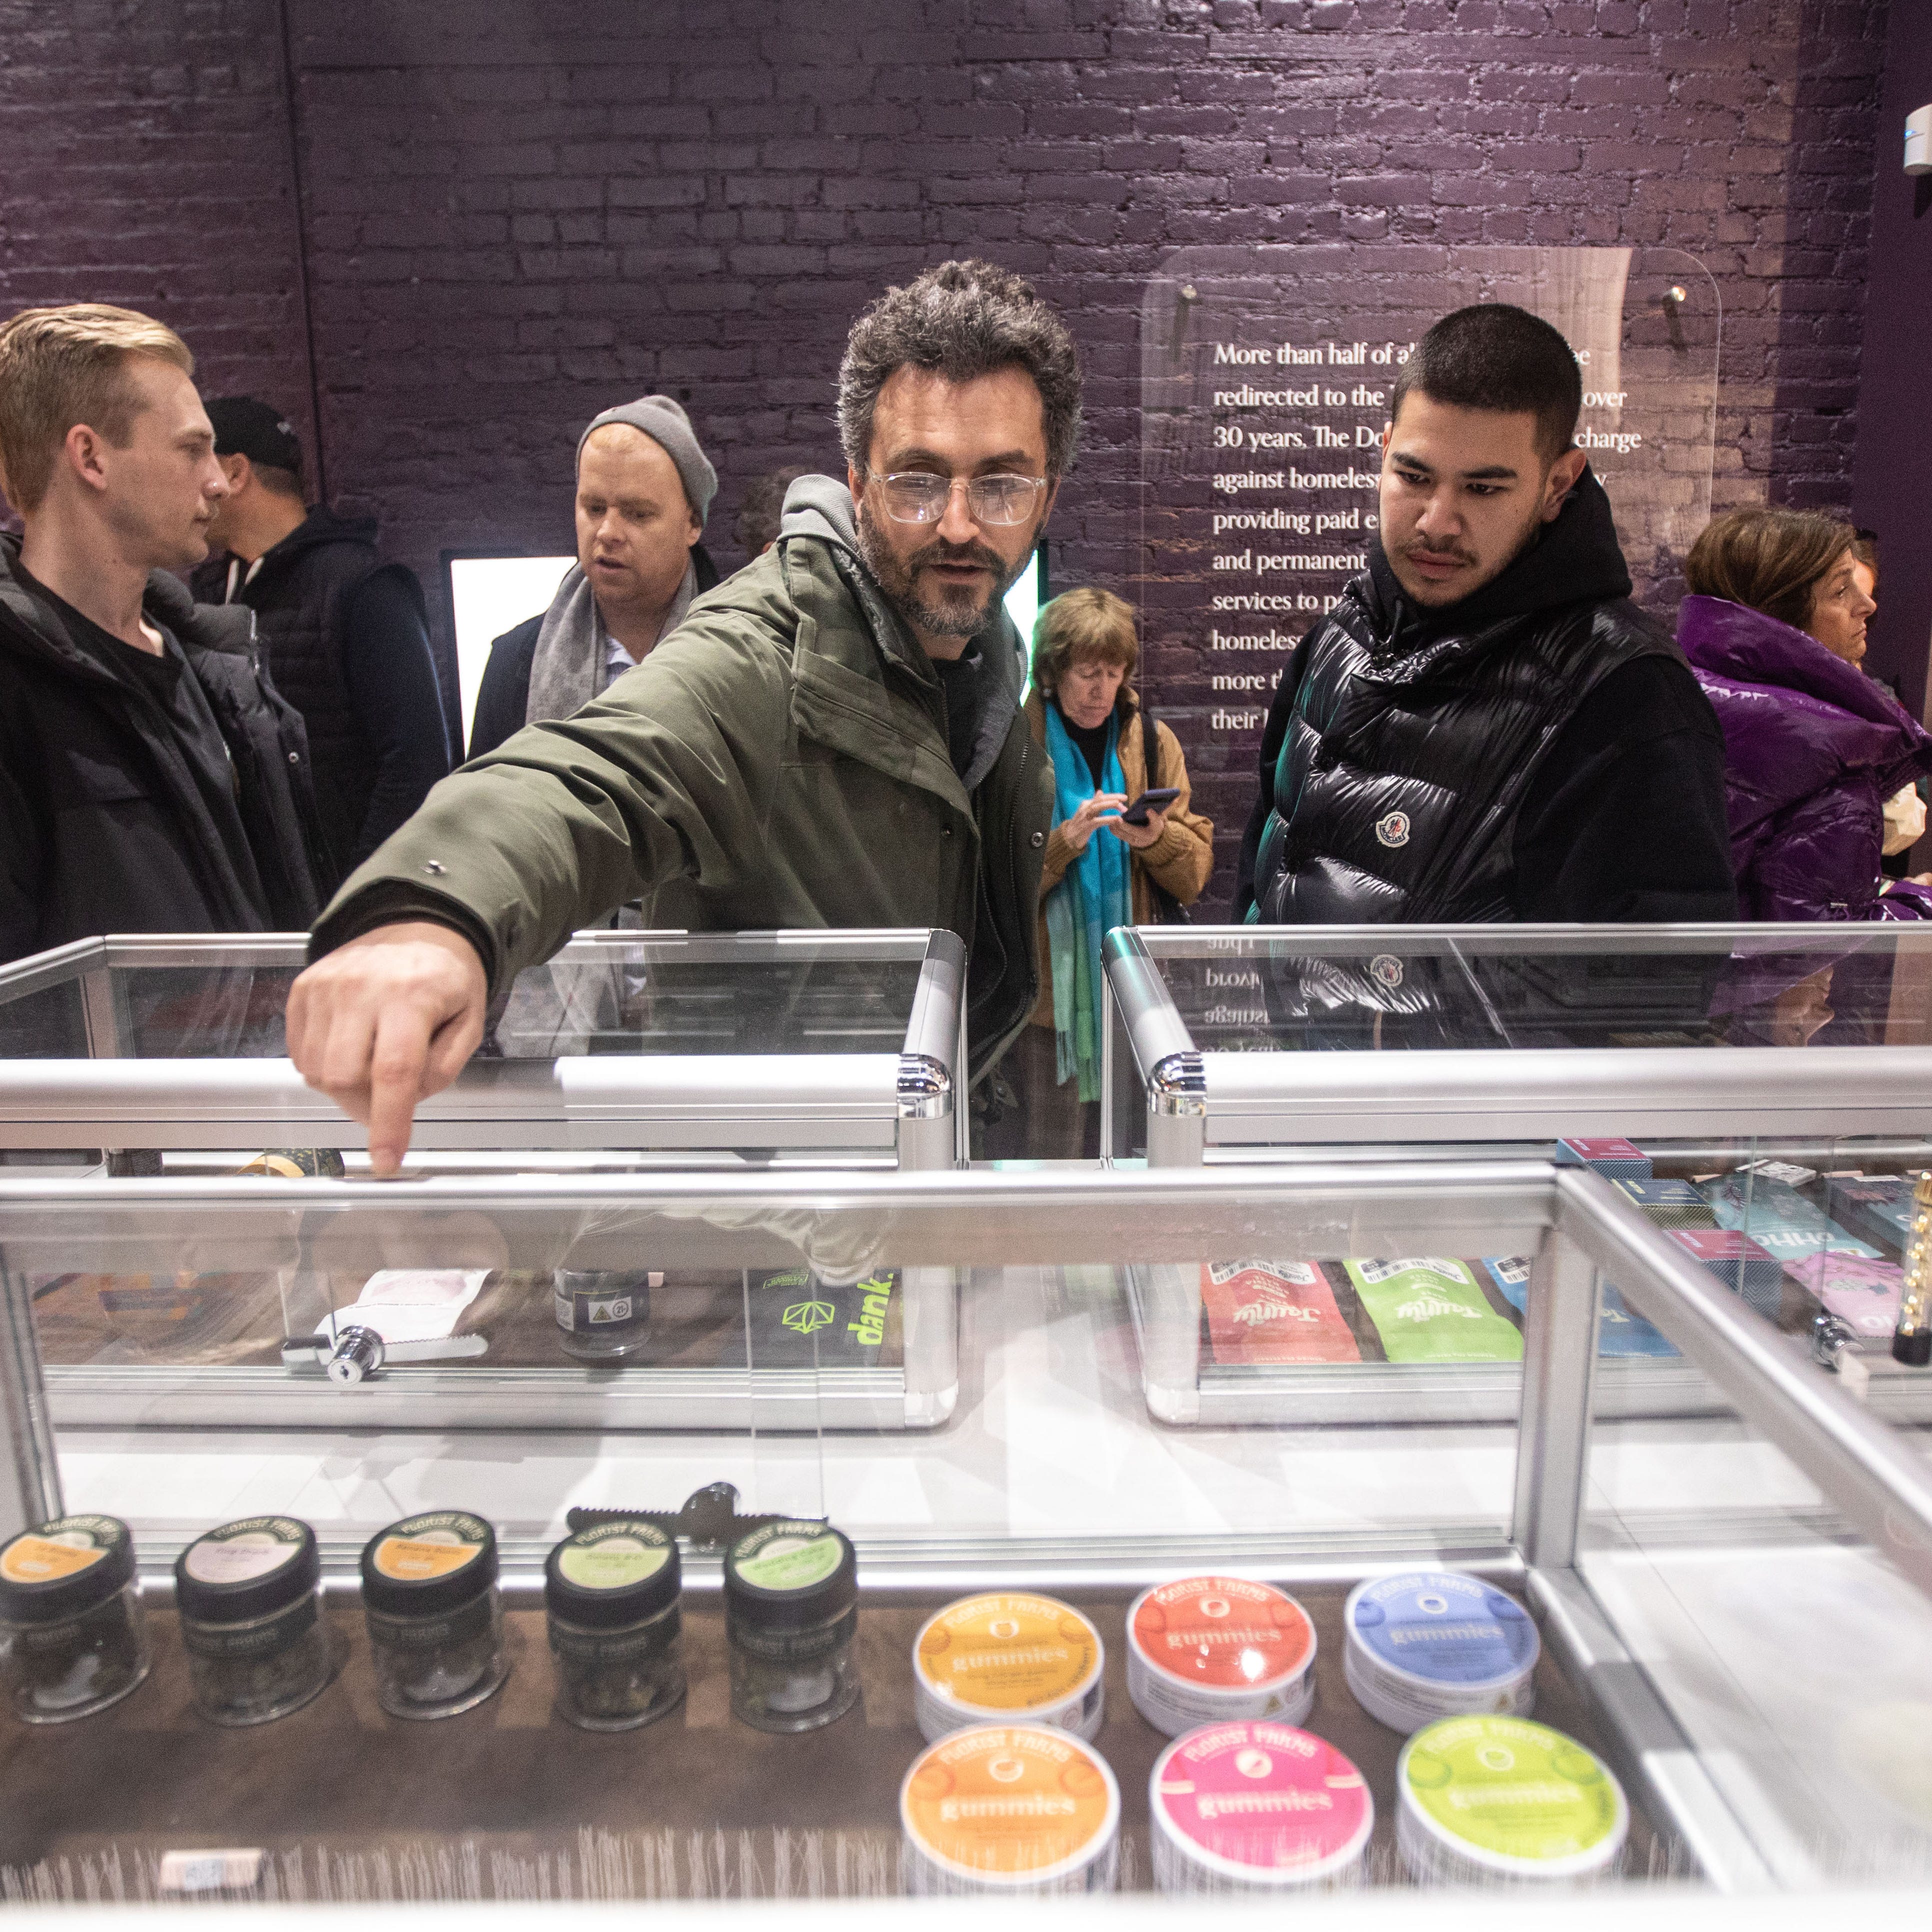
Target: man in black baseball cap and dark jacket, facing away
(347, 635)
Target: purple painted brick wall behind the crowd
(521, 212)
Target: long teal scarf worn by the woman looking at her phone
(1094, 895)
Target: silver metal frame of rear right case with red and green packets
(1205, 1108)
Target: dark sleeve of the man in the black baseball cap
(399, 704)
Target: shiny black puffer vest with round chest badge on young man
(1406, 764)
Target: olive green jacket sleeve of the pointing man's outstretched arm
(577, 816)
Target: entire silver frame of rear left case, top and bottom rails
(878, 1110)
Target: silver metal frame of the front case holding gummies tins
(1577, 1228)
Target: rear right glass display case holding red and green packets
(1645, 1052)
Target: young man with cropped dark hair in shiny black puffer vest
(1487, 727)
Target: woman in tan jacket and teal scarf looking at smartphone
(1102, 865)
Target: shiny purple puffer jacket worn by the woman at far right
(1813, 751)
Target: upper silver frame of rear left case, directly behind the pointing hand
(884, 1108)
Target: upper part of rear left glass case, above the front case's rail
(627, 1048)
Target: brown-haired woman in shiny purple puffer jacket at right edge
(1775, 631)
